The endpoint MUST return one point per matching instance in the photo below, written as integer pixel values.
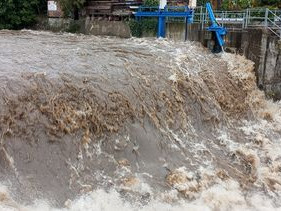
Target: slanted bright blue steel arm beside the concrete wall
(215, 27)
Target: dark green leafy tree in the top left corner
(17, 14)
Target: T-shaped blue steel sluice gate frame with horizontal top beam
(184, 12)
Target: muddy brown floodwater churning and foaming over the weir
(96, 123)
